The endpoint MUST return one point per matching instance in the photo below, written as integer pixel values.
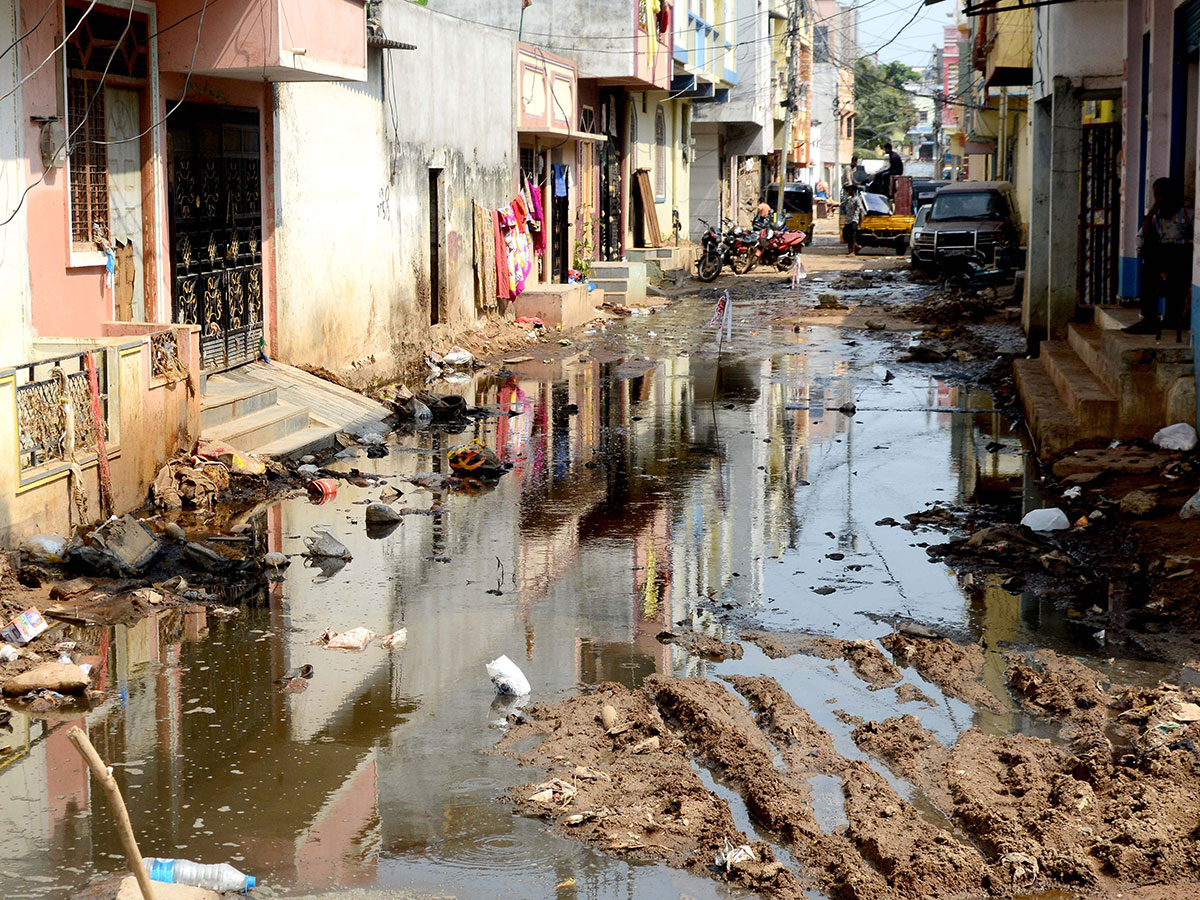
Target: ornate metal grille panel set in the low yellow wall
(41, 424)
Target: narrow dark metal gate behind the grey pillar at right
(1100, 214)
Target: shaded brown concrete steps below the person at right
(1102, 383)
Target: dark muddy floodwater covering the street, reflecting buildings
(655, 487)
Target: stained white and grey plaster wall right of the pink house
(352, 171)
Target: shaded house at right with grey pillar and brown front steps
(1111, 115)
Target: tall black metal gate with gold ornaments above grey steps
(217, 231)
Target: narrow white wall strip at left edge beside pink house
(15, 337)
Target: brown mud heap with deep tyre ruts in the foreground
(1112, 805)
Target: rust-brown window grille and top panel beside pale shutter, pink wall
(105, 50)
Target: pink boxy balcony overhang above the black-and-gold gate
(272, 40)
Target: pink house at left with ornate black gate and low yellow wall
(139, 145)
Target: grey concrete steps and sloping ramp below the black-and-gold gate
(275, 410)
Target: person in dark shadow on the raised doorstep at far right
(1165, 245)
